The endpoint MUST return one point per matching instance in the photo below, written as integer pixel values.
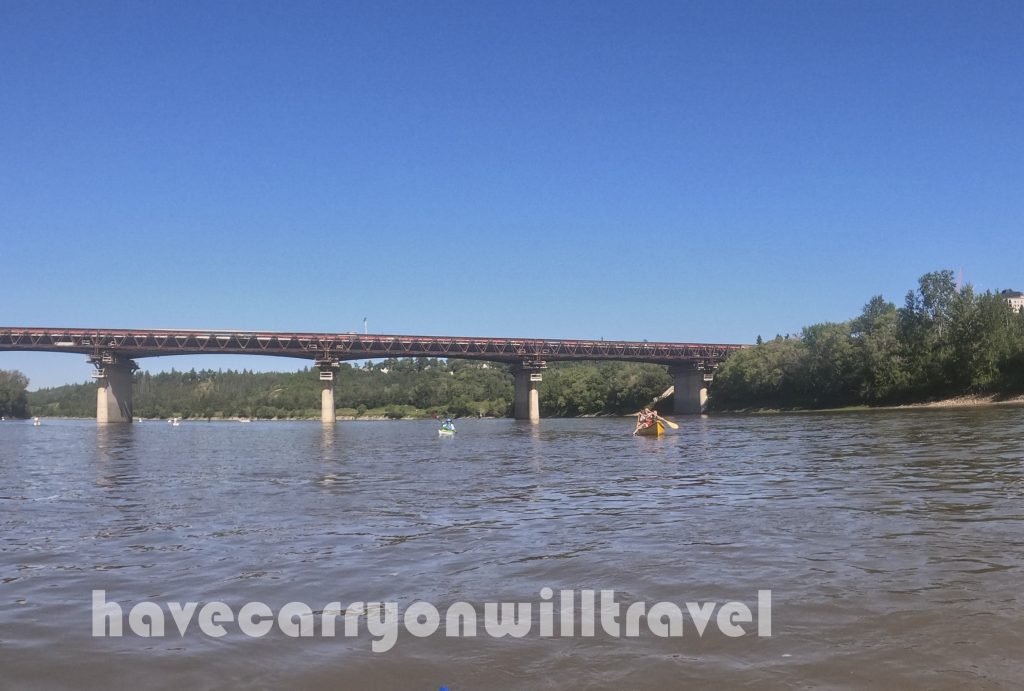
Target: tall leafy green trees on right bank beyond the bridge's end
(945, 341)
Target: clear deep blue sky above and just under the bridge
(678, 171)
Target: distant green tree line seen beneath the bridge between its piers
(396, 388)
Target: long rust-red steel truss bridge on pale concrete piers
(113, 355)
